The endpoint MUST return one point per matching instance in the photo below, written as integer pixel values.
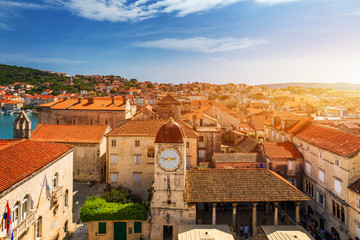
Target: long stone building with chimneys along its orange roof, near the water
(110, 111)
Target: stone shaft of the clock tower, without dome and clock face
(168, 209)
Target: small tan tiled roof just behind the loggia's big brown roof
(236, 157)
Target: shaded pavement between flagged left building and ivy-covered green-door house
(80, 193)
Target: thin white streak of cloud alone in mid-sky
(199, 44)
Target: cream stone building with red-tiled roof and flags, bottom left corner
(24, 166)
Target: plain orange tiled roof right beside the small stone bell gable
(69, 133)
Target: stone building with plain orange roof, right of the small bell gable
(90, 146)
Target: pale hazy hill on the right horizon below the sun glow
(337, 86)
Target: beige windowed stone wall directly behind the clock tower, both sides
(124, 149)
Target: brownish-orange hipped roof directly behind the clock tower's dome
(147, 127)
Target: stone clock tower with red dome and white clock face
(168, 209)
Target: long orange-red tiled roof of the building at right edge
(331, 139)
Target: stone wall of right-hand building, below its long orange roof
(326, 178)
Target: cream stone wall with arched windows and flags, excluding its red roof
(53, 216)
